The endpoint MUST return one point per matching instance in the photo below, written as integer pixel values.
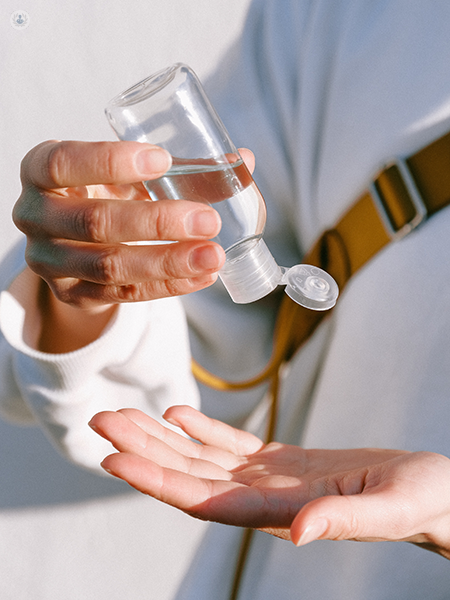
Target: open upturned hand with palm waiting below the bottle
(233, 478)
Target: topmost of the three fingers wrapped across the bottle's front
(55, 164)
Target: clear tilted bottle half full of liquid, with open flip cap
(170, 109)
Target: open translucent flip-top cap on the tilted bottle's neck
(250, 273)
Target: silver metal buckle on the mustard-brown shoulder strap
(413, 195)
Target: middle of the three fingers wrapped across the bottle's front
(109, 221)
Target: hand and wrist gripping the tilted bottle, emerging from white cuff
(80, 203)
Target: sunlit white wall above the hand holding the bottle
(57, 74)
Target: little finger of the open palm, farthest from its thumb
(213, 432)
